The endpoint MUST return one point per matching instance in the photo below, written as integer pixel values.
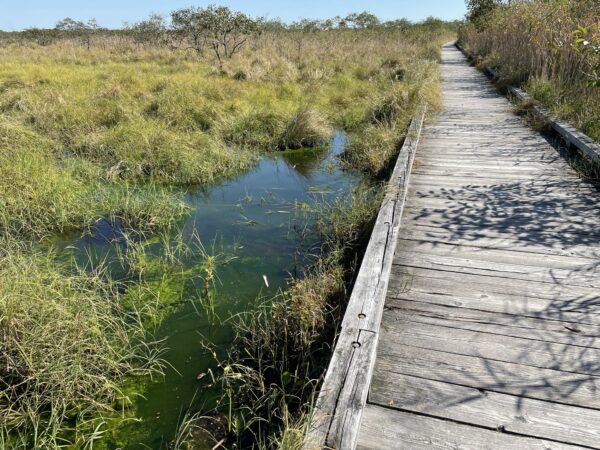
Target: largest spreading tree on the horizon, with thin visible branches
(217, 27)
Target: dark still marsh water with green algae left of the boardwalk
(260, 219)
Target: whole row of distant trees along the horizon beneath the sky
(216, 29)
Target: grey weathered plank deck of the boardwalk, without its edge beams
(490, 335)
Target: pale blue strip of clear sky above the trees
(19, 14)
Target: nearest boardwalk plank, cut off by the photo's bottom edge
(387, 429)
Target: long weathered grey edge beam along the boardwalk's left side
(343, 395)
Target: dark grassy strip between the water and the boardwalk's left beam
(282, 344)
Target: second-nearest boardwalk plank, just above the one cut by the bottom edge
(514, 414)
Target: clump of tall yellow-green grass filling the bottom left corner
(67, 341)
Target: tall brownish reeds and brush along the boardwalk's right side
(533, 43)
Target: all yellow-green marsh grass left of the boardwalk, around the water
(118, 131)
